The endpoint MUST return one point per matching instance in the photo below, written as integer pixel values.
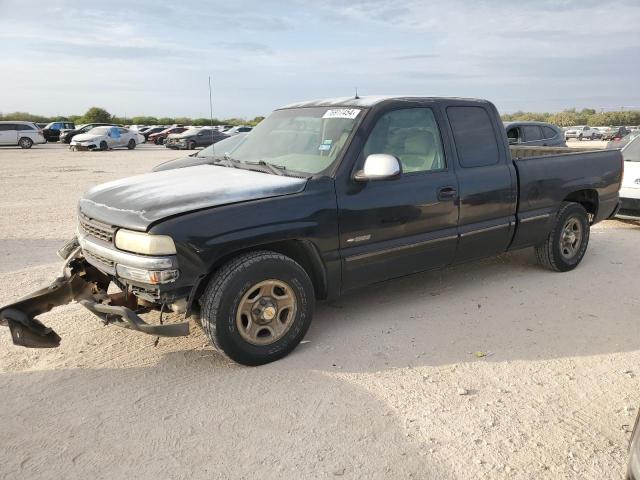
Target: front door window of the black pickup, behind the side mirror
(412, 136)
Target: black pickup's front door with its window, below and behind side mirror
(408, 224)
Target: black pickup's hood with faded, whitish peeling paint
(137, 202)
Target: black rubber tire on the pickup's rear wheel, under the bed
(551, 254)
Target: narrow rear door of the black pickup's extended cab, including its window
(487, 180)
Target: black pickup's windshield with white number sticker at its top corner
(306, 140)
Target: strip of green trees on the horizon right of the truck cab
(586, 116)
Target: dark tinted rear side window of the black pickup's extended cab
(474, 136)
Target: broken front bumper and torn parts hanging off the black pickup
(82, 282)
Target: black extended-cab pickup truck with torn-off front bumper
(321, 198)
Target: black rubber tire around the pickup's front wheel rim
(228, 287)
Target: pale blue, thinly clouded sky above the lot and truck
(155, 57)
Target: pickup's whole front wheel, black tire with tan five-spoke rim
(258, 307)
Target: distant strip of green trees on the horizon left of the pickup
(100, 115)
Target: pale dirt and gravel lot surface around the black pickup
(497, 369)
